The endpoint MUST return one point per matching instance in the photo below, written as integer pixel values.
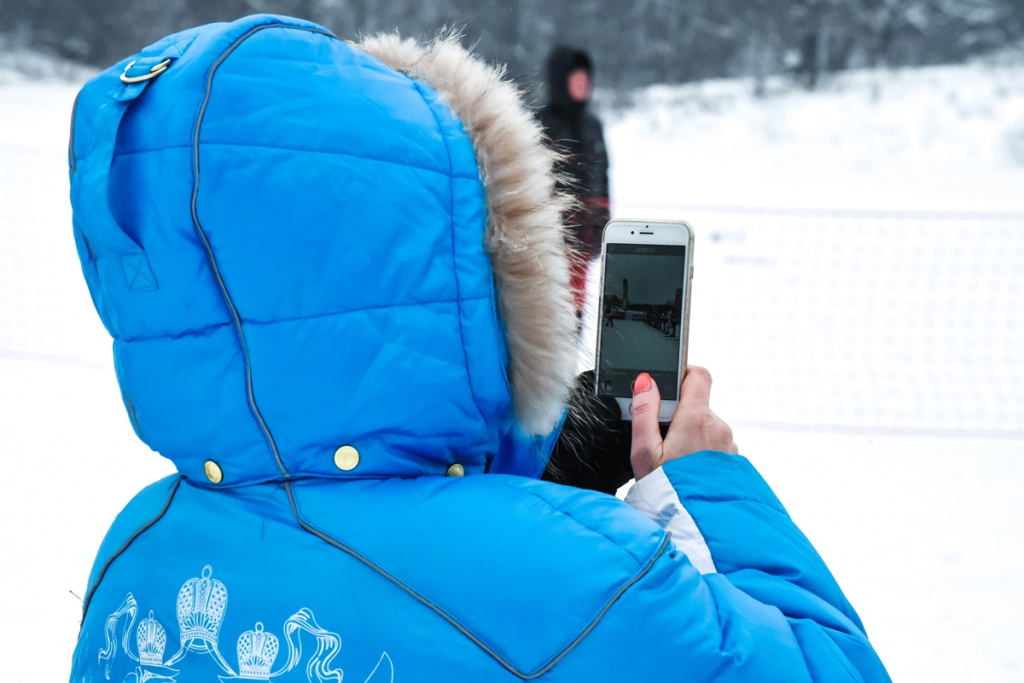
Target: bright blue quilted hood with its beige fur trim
(317, 248)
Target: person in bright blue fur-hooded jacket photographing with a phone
(340, 308)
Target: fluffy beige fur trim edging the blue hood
(525, 237)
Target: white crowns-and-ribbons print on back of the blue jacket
(202, 606)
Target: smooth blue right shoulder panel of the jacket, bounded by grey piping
(548, 561)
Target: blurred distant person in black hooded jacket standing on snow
(577, 134)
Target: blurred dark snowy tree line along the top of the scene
(634, 42)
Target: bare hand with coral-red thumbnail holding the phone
(694, 429)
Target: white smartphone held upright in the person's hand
(644, 319)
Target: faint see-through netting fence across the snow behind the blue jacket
(869, 322)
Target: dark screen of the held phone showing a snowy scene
(642, 317)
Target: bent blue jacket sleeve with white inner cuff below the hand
(769, 607)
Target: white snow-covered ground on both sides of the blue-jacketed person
(859, 297)
